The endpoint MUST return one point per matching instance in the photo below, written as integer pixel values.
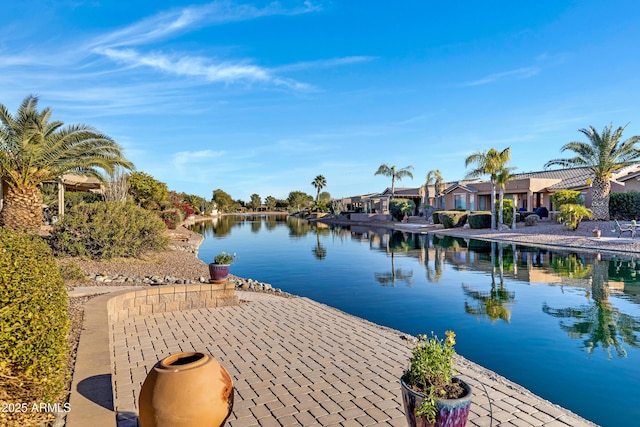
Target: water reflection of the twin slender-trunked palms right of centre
(496, 303)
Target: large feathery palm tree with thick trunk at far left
(34, 150)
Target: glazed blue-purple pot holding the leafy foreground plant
(451, 412)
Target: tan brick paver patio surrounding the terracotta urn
(296, 362)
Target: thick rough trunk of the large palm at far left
(22, 208)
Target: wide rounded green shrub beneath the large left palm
(108, 230)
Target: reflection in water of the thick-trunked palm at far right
(599, 323)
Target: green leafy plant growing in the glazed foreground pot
(431, 373)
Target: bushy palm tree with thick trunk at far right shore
(603, 154)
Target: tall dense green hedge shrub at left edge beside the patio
(33, 316)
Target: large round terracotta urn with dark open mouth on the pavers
(186, 390)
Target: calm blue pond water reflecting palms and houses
(565, 325)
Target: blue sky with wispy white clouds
(260, 97)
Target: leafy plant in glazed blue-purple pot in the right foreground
(431, 393)
